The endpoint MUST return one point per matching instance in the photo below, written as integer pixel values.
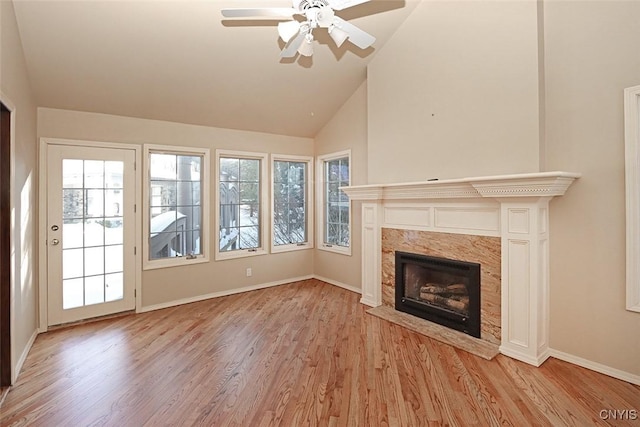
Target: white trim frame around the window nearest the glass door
(204, 201)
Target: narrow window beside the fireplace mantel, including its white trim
(334, 213)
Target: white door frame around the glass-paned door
(42, 218)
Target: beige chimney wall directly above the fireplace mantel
(454, 93)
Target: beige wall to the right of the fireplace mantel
(592, 52)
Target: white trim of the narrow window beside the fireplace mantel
(320, 203)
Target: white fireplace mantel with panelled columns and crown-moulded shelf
(513, 208)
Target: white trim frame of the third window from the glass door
(309, 201)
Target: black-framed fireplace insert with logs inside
(441, 290)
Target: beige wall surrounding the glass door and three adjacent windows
(165, 285)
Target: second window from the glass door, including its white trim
(240, 216)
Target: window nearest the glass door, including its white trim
(176, 206)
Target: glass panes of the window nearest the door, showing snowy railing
(175, 210)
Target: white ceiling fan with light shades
(298, 35)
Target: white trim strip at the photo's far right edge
(632, 178)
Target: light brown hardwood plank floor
(294, 355)
